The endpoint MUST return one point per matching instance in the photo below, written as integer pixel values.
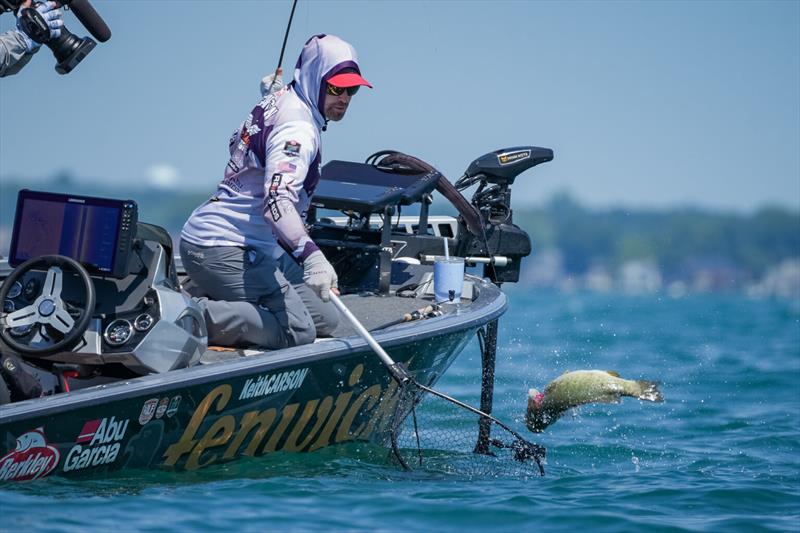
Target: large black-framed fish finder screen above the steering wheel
(76, 227)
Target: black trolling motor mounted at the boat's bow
(500, 243)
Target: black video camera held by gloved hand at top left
(68, 49)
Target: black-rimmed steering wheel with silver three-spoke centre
(48, 308)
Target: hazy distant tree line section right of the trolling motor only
(675, 239)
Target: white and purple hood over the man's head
(323, 57)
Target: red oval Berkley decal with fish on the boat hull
(32, 458)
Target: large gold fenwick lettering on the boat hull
(210, 437)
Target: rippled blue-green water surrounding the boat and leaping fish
(721, 454)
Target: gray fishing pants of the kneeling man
(250, 299)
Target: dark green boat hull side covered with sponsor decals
(301, 400)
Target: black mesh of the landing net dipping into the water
(432, 431)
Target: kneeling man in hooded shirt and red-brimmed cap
(236, 246)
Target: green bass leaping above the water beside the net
(572, 389)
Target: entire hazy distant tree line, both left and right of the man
(675, 239)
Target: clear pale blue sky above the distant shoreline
(645, 104)
